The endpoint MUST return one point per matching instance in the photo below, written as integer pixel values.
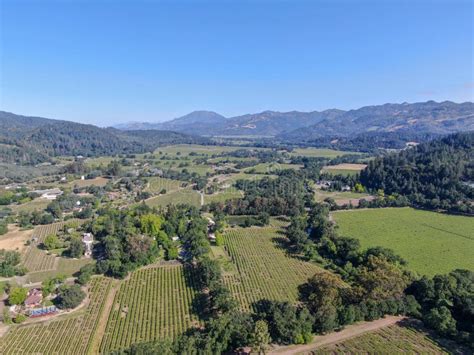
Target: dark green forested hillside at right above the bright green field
(435, 175)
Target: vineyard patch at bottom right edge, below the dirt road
(394, 339)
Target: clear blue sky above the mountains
(112, 61)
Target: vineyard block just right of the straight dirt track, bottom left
(154, 303)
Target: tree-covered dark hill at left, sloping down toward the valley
(31, 140)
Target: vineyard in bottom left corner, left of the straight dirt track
(70, 335)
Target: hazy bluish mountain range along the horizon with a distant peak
(417, 118)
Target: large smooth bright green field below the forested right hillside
(432, 243)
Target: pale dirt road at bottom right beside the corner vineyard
(336, 337)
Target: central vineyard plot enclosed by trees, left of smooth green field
(262, 269)
